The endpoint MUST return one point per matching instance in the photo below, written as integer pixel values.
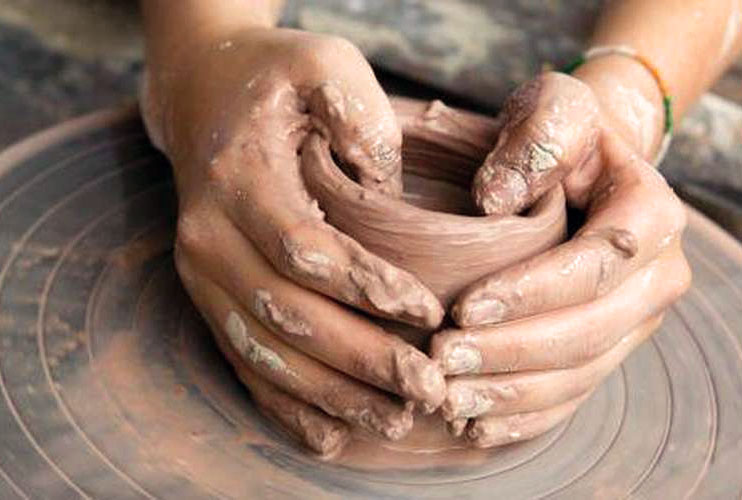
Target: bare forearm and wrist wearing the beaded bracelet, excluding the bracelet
(690, 42)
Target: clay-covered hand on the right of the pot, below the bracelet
(538, 337)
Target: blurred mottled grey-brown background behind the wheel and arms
(65, 58)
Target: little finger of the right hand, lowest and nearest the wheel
(487, 432)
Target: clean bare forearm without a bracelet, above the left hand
(171, 26)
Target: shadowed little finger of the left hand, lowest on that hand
(322, 434)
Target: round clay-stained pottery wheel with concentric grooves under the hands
(112, 387)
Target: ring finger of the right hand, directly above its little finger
(473, 396)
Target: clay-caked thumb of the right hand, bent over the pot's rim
(551, 127)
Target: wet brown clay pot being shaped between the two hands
(434, 232)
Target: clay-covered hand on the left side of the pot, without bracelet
(253, 248)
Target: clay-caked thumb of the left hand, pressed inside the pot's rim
(363, 131)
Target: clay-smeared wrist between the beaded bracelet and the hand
(630, 98)
